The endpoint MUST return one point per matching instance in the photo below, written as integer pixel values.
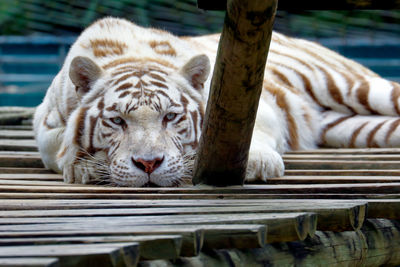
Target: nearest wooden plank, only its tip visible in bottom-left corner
(29, 262)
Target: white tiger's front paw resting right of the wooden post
(264, 164)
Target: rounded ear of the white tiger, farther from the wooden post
(83, 73)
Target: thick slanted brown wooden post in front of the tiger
(235, 91)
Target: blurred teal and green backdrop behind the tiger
(35, 35)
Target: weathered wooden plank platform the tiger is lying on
(336, 207)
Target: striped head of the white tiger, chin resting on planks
(139, 120)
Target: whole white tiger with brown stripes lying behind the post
(128, 104)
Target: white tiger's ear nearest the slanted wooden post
(196, 71)
